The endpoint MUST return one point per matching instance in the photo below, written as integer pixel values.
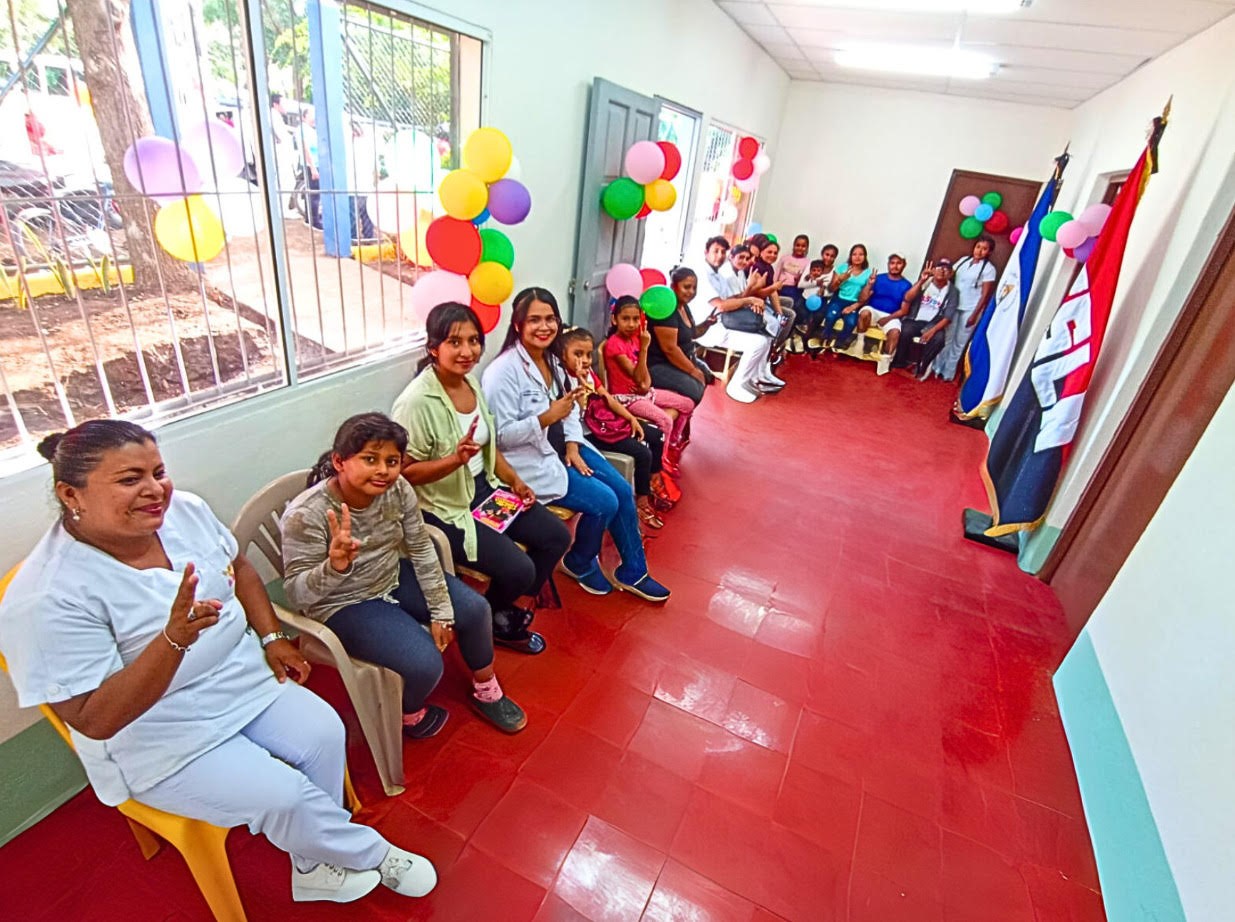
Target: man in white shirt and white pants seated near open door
(716, 296)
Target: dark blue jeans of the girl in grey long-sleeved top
(391, 634)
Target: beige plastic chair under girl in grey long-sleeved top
(376, 693)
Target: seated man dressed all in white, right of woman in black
(742, 326)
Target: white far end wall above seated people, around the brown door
(858, 165)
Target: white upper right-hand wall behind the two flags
(1178, 224)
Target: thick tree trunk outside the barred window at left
(113, 75)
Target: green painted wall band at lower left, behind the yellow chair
(40, 773)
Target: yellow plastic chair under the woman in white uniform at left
(201, 844)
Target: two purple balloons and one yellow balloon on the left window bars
(170, 173)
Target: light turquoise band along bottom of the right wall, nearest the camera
(1137, 881)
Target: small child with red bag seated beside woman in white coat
(612, 428)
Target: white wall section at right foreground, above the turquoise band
(1164, 636)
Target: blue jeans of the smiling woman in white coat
(605, 500)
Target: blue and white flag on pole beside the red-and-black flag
(989, 360)
